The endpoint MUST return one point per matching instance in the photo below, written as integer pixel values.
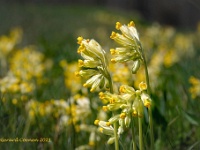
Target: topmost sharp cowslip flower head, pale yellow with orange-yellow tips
(130, 49)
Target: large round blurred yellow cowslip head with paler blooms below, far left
(19, 79)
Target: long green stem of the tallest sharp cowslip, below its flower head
(149, 109)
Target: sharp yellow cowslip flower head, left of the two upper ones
(93, 67)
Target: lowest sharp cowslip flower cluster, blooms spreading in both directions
(129, 102)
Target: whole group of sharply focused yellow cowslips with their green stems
(128, 102)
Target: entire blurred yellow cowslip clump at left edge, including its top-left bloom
(22, 71)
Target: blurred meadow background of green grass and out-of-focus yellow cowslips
(41, 97)
